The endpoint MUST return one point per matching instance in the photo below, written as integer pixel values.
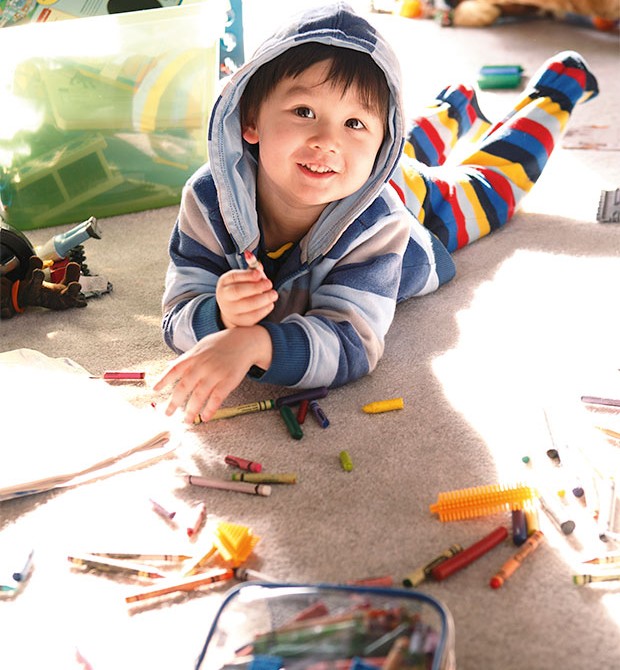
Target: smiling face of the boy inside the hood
(317, 144)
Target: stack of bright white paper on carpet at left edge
(59, 427)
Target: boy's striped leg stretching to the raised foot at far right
(462, 203)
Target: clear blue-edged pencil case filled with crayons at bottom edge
(266, 626)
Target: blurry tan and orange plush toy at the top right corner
(600, 14)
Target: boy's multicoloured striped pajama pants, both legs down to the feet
(462, 202)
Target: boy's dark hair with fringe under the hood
(348, 67)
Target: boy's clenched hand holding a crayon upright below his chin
(244, 297)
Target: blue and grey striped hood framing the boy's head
(234, 167)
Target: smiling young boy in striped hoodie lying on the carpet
(307, 172)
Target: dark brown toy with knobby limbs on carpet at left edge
(34, 291)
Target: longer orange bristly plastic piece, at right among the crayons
(481, 501)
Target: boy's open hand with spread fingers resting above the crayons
(204, 376)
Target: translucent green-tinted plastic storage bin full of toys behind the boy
(105, 115)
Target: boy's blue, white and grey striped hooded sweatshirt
(339, 285)
